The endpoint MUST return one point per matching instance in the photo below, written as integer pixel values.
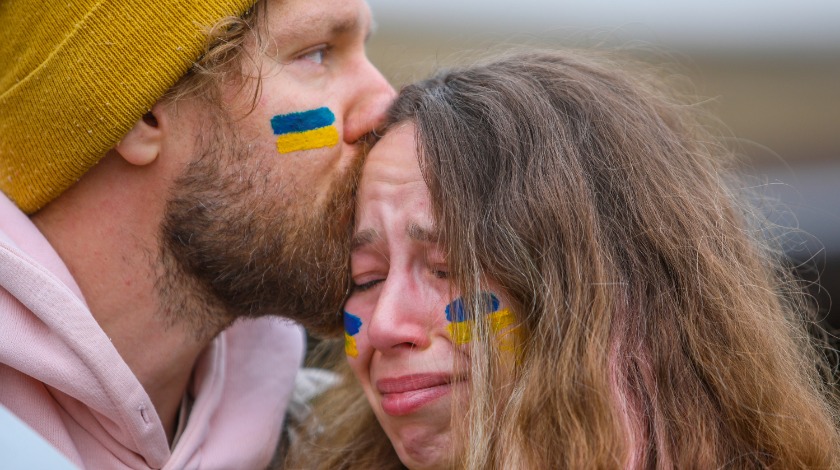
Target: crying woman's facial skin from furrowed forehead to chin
(406, 356)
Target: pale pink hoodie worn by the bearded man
(60, 373)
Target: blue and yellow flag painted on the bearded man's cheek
(305, 130)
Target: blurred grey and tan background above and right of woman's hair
(771, 69)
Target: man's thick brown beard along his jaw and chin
(235, 243)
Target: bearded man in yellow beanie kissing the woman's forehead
(138, 305)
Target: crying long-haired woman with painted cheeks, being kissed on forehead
(550, 270)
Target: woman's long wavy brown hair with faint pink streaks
(659, 329)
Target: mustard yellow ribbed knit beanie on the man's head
(76, 75)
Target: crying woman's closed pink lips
(406, 394)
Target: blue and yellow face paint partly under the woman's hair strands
(501, 322)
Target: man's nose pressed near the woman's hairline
(371, 97)
